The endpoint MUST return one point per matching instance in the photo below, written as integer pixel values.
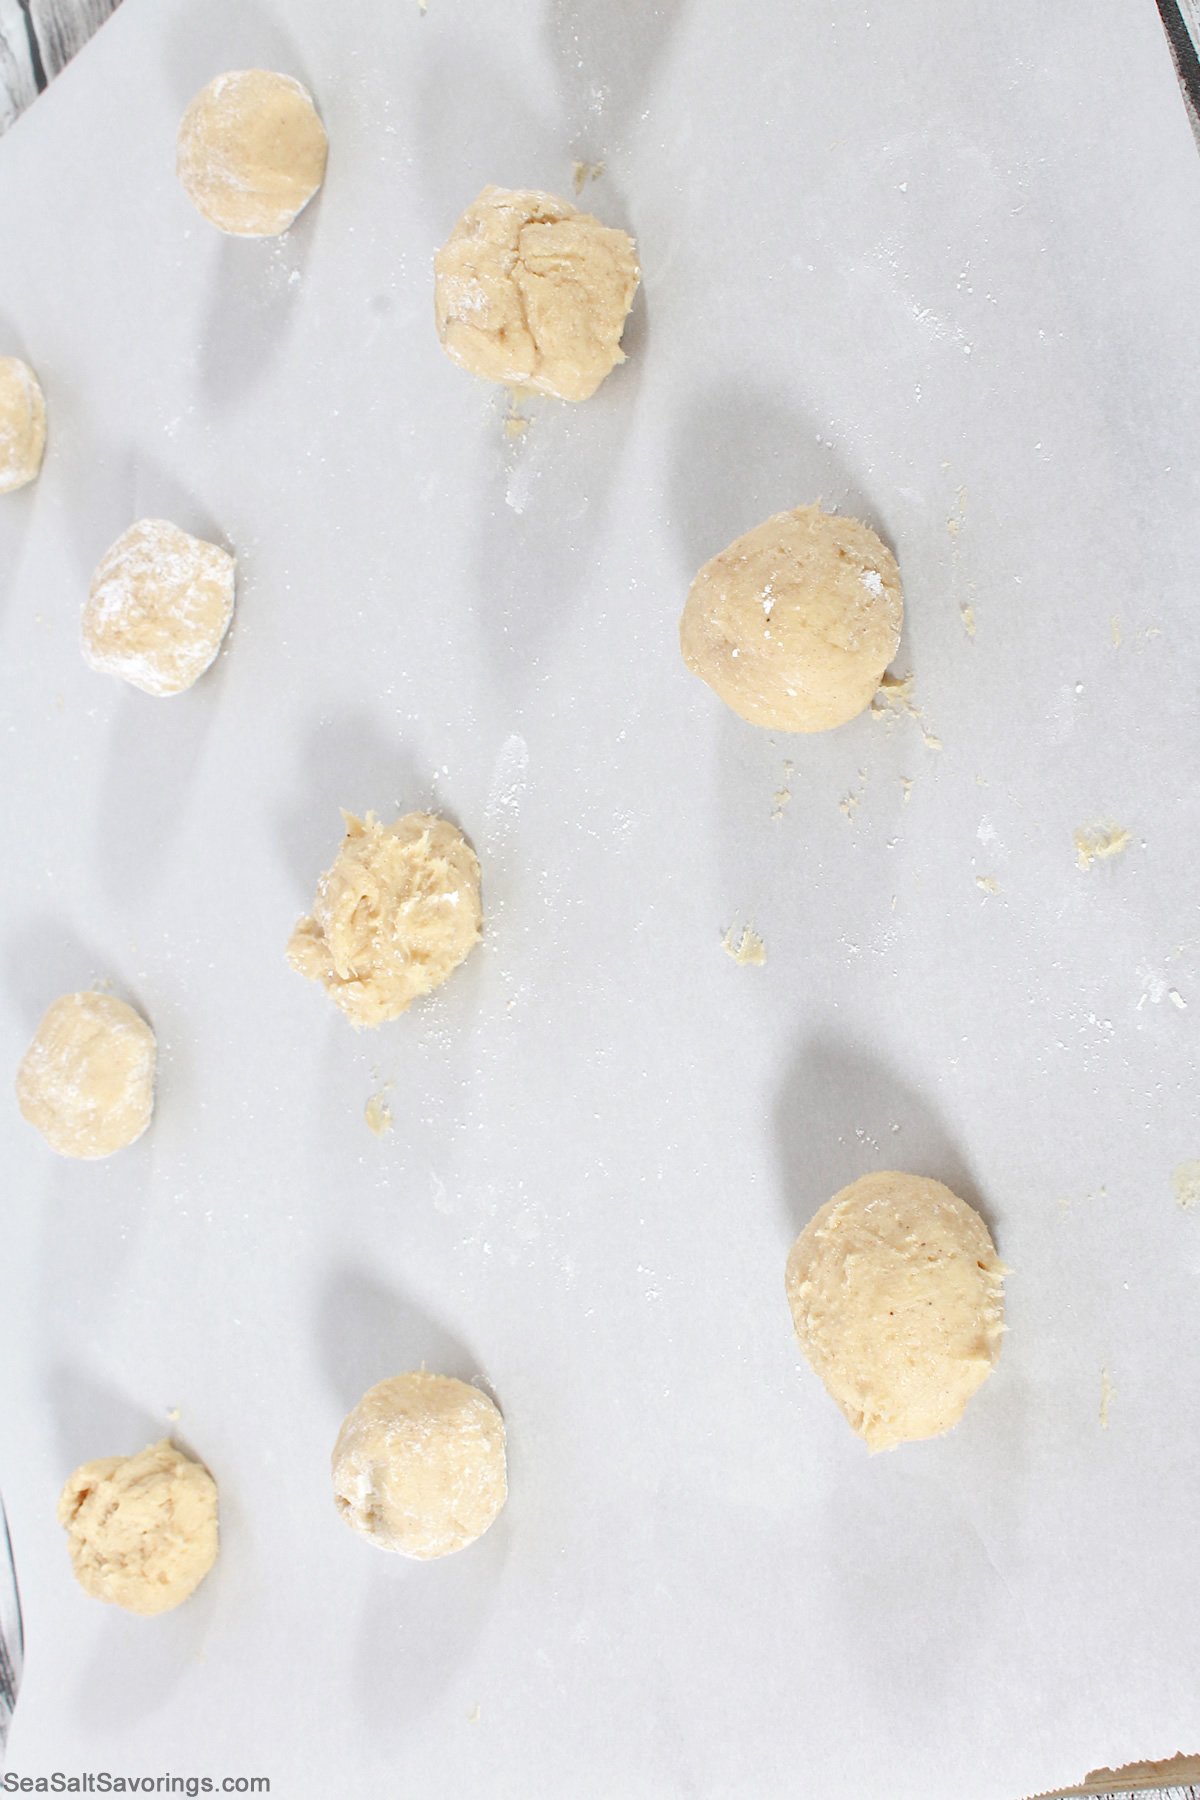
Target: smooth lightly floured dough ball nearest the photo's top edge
(253, 152)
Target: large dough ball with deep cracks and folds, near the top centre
(535, 294)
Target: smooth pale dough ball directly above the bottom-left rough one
(87, 1081)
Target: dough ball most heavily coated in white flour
(159, 607)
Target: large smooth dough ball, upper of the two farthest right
(796, 622)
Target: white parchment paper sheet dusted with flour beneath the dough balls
(936, 265)
